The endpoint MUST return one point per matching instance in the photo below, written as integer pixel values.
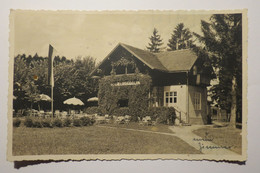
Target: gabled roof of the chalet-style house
(171, 61)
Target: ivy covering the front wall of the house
(137, 95)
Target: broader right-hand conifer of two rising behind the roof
(180, 38)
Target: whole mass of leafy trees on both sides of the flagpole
(71, 79)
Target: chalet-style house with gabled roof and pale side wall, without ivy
(178, 79)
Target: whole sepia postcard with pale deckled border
(112, 85)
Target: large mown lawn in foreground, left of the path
(94, 140)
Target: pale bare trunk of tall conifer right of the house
(233, 104)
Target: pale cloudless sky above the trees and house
(95, 34)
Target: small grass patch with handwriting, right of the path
(224, 136)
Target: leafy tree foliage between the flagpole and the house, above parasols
(73, 79)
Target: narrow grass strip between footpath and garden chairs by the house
(132, 125)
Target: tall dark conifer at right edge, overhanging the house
(222, 39)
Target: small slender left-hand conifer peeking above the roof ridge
(156, 42)
